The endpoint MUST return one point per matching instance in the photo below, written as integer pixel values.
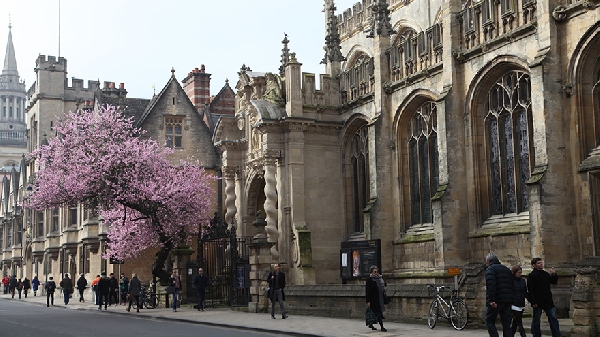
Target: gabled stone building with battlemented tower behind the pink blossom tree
(72, 239)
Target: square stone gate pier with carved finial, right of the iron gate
(260, 266)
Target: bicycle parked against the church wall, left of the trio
(455, 310)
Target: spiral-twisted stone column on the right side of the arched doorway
(270, 209)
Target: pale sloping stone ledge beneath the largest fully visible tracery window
(509, 224)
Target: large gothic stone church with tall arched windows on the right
(444, 129)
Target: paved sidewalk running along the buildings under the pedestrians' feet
(294, 325)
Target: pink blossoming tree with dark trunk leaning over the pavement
(99, 159)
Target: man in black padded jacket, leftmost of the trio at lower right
(499, 294)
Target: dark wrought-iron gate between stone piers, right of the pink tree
(224, 258)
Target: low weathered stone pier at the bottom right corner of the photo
(585, 296)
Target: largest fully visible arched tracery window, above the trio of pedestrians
(508, 125)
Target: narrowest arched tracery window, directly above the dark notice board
(360, 178)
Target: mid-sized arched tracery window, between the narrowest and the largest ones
(423, 162)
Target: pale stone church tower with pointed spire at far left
(13, 142)
